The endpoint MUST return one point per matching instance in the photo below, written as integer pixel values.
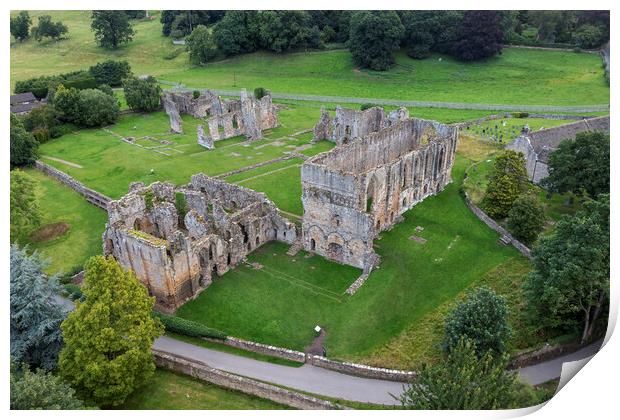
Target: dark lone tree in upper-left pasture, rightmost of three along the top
(112, 28)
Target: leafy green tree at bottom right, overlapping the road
(462, 381)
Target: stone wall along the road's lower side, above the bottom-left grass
(218, 377)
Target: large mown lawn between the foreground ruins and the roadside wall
(283, 300)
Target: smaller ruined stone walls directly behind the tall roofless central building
(349, 123)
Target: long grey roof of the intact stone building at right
(547, 140)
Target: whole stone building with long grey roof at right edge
(537, 145)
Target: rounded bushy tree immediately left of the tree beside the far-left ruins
(96, 109)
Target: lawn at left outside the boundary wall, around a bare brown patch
(59, 203)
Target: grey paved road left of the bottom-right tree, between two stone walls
(305, 378)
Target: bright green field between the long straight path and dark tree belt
(517, 76)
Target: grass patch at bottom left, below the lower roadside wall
(172, 391)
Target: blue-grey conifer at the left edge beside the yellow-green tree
(35, 313)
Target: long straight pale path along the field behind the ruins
(407, 103)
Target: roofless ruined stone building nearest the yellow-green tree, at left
(179, 239)
